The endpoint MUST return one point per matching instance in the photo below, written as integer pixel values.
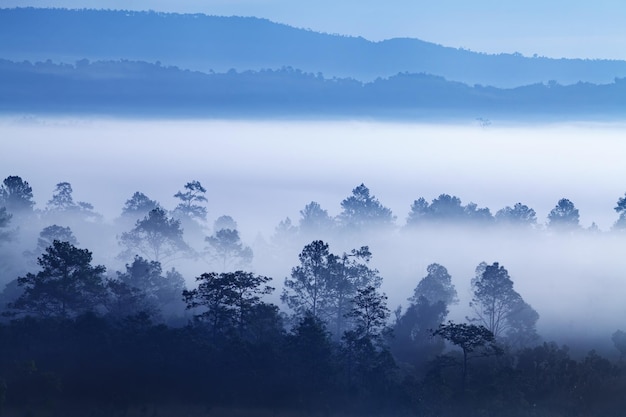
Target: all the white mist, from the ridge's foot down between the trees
(262, 172)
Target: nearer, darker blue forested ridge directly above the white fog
(127, 87)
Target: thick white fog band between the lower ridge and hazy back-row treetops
(288, 164)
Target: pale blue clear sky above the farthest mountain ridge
(570, 29)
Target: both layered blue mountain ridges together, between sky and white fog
(60, 61)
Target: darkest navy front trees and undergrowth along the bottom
(77, 342)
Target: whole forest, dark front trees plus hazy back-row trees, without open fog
(138, 337)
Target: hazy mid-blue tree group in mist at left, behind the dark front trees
(146, 228)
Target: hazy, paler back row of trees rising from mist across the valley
(170, 237)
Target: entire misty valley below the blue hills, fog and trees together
(285, 267)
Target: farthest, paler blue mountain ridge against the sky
(206, 43)
